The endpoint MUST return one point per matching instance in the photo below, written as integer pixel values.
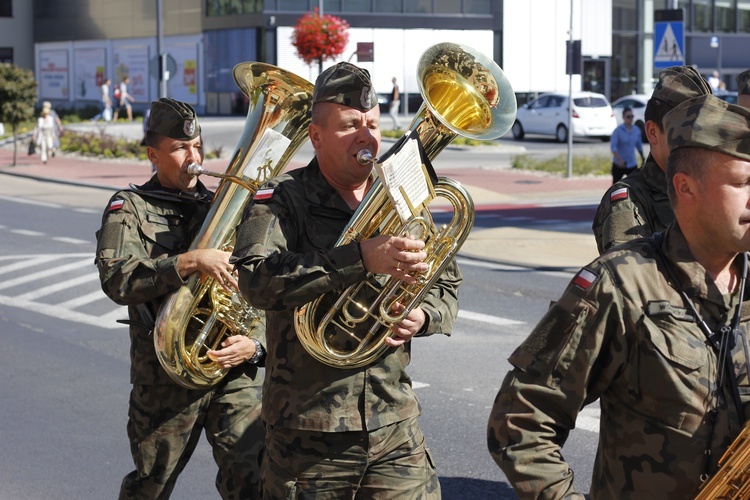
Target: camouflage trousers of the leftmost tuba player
(164, 426)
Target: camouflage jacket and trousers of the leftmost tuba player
(143, 230)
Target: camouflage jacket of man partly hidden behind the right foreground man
(635, 207)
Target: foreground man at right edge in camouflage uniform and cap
(655, 329)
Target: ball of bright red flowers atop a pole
(320, 38)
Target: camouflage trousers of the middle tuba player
(387, 463)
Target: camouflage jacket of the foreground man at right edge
(621, 334)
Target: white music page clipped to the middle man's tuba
(405, 181)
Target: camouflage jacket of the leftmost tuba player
(143, 230)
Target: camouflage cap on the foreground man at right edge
(708, 122)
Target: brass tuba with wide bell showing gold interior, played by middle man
(464, 93)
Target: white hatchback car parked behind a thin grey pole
(548, 115)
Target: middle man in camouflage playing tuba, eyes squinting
(345, 432)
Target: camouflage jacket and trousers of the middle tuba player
(286, 258)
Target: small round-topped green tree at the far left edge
(17, 99)
